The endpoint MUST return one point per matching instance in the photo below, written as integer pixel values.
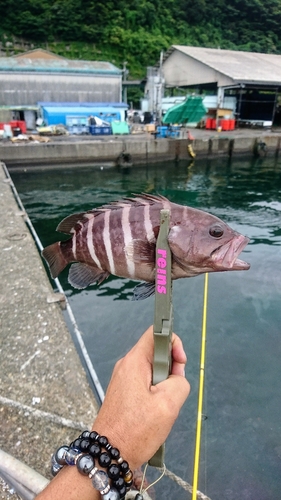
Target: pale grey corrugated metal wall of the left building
(27, 89)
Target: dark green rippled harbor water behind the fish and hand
(241, 429)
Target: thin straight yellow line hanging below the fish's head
(200, 393)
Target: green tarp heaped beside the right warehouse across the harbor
(191, 110)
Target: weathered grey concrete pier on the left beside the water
(45, 396)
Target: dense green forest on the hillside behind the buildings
(136, 31)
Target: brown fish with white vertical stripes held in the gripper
(120, 239)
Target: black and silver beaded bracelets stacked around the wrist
(84, 452)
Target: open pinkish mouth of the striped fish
(226, 256)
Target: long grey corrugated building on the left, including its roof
(40, 75)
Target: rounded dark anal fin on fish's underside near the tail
(80, 275)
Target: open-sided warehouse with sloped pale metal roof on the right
(253, 78)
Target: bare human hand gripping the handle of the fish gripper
(136, 416)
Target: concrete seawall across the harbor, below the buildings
(143, 148)
